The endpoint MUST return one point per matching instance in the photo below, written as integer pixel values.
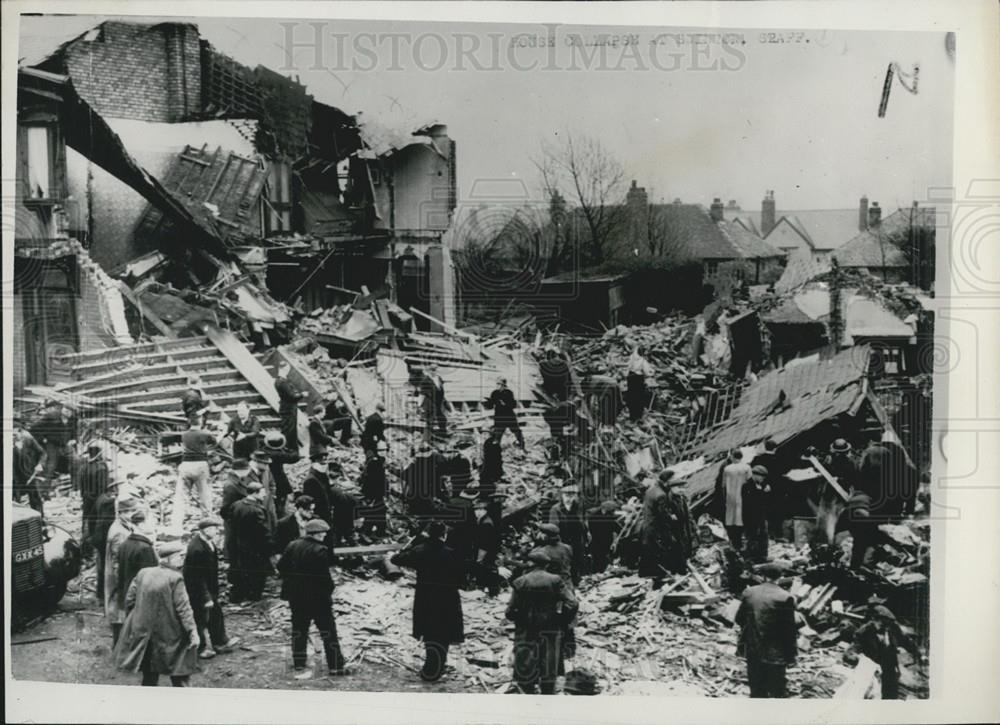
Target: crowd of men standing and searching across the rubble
(163, 601)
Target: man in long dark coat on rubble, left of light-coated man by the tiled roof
(667, 532)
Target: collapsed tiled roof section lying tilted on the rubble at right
(813, 392)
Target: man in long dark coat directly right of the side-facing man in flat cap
(250, 558)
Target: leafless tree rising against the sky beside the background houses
(584, 172)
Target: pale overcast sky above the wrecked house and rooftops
(797, 117)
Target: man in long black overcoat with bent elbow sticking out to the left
(437, 606)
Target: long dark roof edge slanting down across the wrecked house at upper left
(87, 132)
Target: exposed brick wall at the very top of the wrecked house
(145, 72)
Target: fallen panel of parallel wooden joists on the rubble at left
(150, 378)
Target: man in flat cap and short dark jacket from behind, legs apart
(308, 588)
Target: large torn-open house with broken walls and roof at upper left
(146, 155)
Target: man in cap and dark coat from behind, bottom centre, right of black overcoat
(540, 606)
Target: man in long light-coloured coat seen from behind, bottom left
(159, 636)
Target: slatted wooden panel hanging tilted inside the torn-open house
(217, 188)
